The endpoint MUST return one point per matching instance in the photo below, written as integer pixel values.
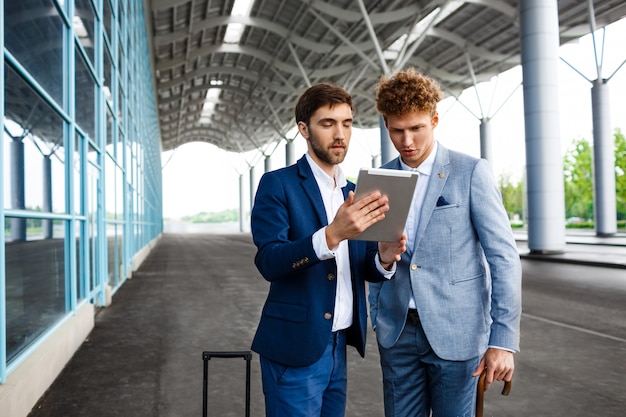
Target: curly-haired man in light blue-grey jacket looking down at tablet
(453, 306)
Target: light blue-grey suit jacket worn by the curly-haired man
(465, 271)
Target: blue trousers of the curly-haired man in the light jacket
(416, 381)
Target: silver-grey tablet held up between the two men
(399, 187)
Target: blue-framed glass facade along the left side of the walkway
(81, 168)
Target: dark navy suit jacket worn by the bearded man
(297, 317)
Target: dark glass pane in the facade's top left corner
(34, 36)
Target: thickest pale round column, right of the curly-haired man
(539, 33)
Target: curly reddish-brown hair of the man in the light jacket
(405, 92)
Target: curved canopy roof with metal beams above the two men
(239, 92)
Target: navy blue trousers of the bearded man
(317, 390)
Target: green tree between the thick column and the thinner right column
(578, 177)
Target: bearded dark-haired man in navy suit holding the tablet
(316, 303)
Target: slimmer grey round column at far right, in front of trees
(603, 161)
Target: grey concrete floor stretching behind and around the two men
(199, 292)
